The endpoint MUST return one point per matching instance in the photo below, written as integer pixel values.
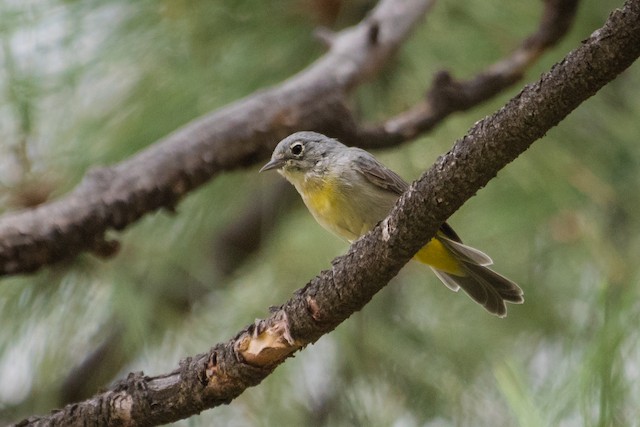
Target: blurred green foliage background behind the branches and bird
(90, 82)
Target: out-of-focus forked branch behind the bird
(245, 132)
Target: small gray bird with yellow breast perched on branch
(348, 191)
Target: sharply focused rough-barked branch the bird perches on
(216, 377)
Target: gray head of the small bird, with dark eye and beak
(301, 151)
